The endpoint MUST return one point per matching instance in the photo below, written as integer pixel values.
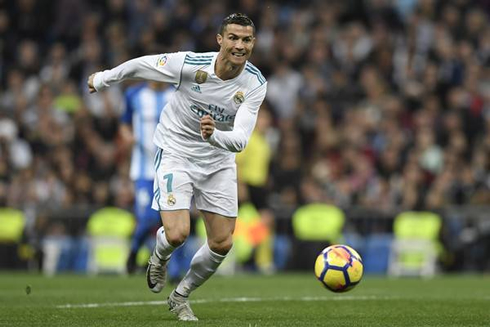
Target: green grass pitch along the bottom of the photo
(245, 300)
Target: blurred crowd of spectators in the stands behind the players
(378, 103)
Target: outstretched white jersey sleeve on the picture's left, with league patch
(160, 68)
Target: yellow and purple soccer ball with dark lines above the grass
(339, 268)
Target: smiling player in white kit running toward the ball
(210, 117)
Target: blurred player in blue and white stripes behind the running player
(143, 105)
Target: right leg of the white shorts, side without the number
(217, 193)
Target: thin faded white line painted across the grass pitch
(236, 299)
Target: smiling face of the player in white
(236, 43)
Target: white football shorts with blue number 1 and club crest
(177, 180)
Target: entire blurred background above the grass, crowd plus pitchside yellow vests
(375, 132)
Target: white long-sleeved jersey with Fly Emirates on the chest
(233, 103)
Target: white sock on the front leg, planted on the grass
(203, 265)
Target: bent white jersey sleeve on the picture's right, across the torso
(237, 139)
